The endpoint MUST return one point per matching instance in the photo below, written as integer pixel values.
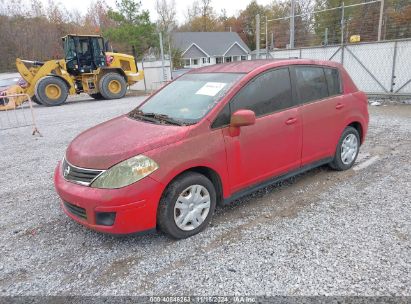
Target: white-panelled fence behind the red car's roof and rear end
(377, 68)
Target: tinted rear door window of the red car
(311, 83)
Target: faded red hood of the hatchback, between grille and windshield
(119, 139)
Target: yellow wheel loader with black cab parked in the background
(87, 67)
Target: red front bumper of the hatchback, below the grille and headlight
(135, 206)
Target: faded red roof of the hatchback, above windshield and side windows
(248, 66)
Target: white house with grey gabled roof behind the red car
(207, 48)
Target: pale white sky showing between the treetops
(232, 6)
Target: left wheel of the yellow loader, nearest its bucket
(51, 91)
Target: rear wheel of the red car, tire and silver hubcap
(347, 150)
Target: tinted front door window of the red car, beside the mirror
(267, 93)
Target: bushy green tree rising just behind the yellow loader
(133, 27)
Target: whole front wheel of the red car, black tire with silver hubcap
(183, 211)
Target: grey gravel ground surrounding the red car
(321, 233)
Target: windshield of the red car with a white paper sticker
(189, 98)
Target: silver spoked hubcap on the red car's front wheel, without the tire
(192, 207)
